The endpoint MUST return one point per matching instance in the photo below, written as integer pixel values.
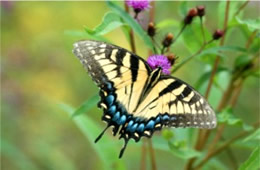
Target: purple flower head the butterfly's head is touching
(162, 61)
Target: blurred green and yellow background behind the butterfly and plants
(39, 71)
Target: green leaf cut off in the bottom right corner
(252, 163)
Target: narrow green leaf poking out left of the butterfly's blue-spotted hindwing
(86, 106)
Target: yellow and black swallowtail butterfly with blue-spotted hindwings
(137, 100)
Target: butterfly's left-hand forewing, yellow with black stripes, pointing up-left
(107, 63)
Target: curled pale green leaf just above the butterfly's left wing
(109, 22)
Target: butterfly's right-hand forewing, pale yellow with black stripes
(178, 105)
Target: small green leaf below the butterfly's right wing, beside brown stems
(180, 150)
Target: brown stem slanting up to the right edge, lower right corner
(226, 145)
